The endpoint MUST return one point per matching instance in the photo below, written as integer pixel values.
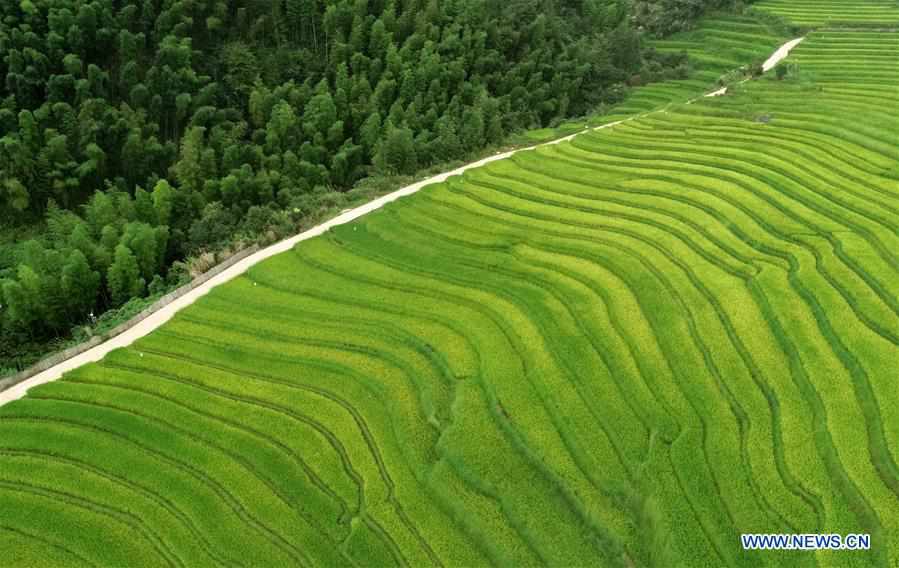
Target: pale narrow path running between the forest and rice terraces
(155, 320)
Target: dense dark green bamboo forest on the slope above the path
(141, 131)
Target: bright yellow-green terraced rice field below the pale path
(624, 350)
